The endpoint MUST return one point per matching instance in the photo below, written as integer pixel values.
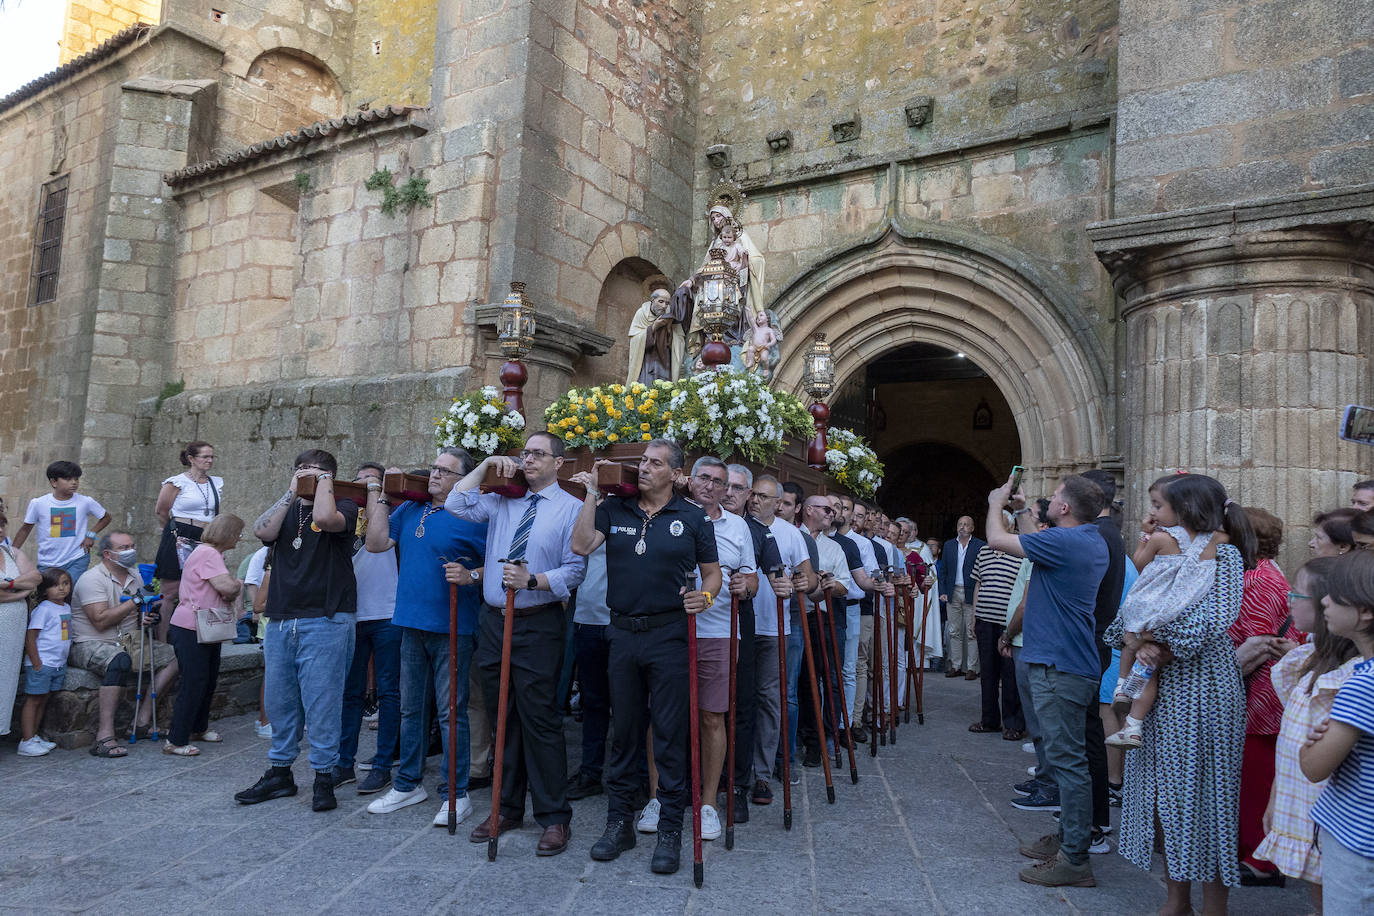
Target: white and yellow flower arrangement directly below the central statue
(728, 411)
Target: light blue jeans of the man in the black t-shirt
(307, 663)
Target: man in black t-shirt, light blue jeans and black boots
(313, 597)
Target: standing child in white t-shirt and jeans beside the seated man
(45, 657)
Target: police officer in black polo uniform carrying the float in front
(655, 542)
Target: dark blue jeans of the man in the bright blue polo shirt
(425, 687)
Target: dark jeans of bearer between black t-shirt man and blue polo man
(380, 641)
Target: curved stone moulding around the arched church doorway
(899, 289)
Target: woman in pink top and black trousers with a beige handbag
(203, 621)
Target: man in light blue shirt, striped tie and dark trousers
(528, 540)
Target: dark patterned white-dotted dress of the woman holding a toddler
(1189, 770)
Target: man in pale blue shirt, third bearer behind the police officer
(796, 561)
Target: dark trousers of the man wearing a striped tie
(535, 755)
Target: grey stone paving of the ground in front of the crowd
(928, 830)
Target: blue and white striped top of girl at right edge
(1346, 804)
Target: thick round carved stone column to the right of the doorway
(1247, 330)
